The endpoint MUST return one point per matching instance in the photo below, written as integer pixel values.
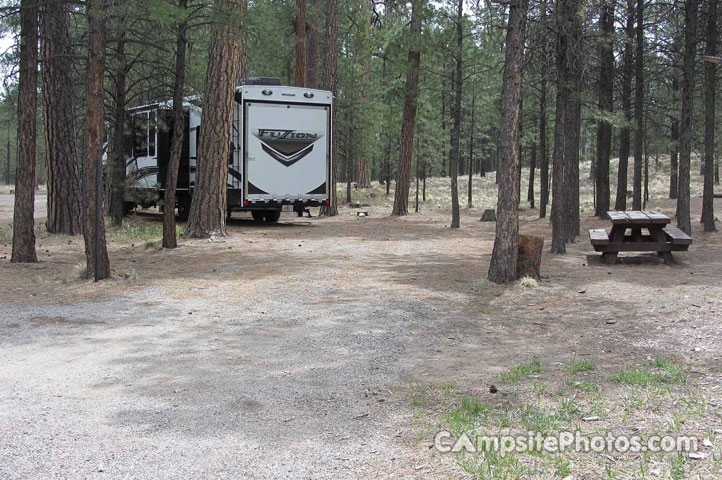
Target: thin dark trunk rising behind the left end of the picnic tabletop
(624, 135)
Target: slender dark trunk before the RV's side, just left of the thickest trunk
(176, 146)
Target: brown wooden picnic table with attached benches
(647, 233)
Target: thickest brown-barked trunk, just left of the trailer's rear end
(208, 207)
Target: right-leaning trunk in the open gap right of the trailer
(406, 146)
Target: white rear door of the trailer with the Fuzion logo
(287, 151)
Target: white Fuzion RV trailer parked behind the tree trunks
(280, 151)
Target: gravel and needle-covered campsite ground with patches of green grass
(338, 347)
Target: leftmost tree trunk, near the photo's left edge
(24, 210)
